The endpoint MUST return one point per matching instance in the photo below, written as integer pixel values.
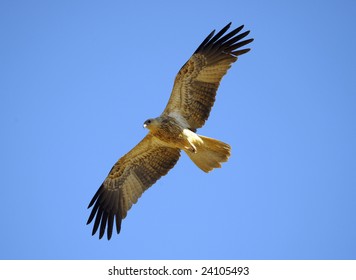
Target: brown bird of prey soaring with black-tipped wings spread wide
(191, 100)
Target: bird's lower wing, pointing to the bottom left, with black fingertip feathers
(134, 173)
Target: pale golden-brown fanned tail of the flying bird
(209, 154)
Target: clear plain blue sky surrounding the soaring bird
(79, 78)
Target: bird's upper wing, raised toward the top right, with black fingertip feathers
(196, 83)
